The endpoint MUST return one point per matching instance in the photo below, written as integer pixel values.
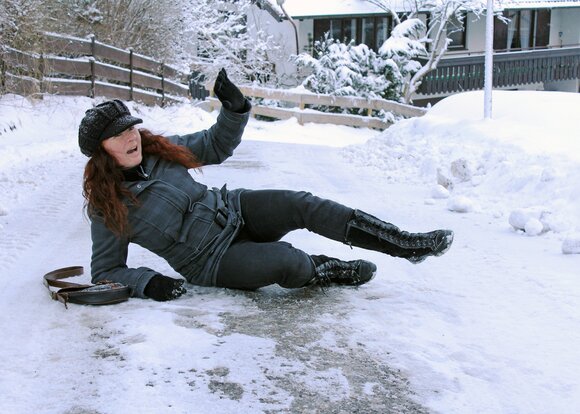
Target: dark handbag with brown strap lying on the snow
(103, 293)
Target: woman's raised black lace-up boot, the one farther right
(369, 232)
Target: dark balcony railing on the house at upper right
(455, 74)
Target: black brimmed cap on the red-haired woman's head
(104, 121)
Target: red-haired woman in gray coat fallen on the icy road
(138, 190)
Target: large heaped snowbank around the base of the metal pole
(522, 166)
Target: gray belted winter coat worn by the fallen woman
(176, 218)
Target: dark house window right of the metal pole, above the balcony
(526, 29)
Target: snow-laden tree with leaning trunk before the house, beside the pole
(411, 39)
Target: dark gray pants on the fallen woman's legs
(258, 258)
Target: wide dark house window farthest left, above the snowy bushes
(371, 30)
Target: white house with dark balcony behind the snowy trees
(538, 49)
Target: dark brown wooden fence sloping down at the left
(73, 66)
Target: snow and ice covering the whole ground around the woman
(491, 327)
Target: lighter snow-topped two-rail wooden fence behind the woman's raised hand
(300, 100)
